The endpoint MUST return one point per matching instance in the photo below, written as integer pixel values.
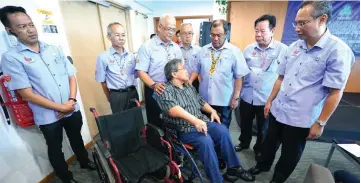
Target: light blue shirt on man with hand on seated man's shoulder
(153, 55)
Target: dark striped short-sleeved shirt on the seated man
(186, 98)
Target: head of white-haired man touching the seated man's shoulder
(166, 27)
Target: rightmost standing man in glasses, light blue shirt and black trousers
(311, 80)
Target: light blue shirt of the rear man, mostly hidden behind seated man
(190, 57)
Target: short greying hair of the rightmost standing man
(319, 8)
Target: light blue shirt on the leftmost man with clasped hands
(47, 73)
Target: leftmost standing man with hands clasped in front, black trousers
(45, 78)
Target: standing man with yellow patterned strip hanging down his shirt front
(221, 67)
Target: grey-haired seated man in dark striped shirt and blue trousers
(182, 110)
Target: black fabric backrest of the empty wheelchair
(122, 131)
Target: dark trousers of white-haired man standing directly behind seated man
(152, 109)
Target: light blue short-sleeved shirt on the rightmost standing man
(308, 75)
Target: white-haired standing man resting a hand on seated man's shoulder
(152, 57)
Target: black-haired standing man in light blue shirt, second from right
(263, 58)
